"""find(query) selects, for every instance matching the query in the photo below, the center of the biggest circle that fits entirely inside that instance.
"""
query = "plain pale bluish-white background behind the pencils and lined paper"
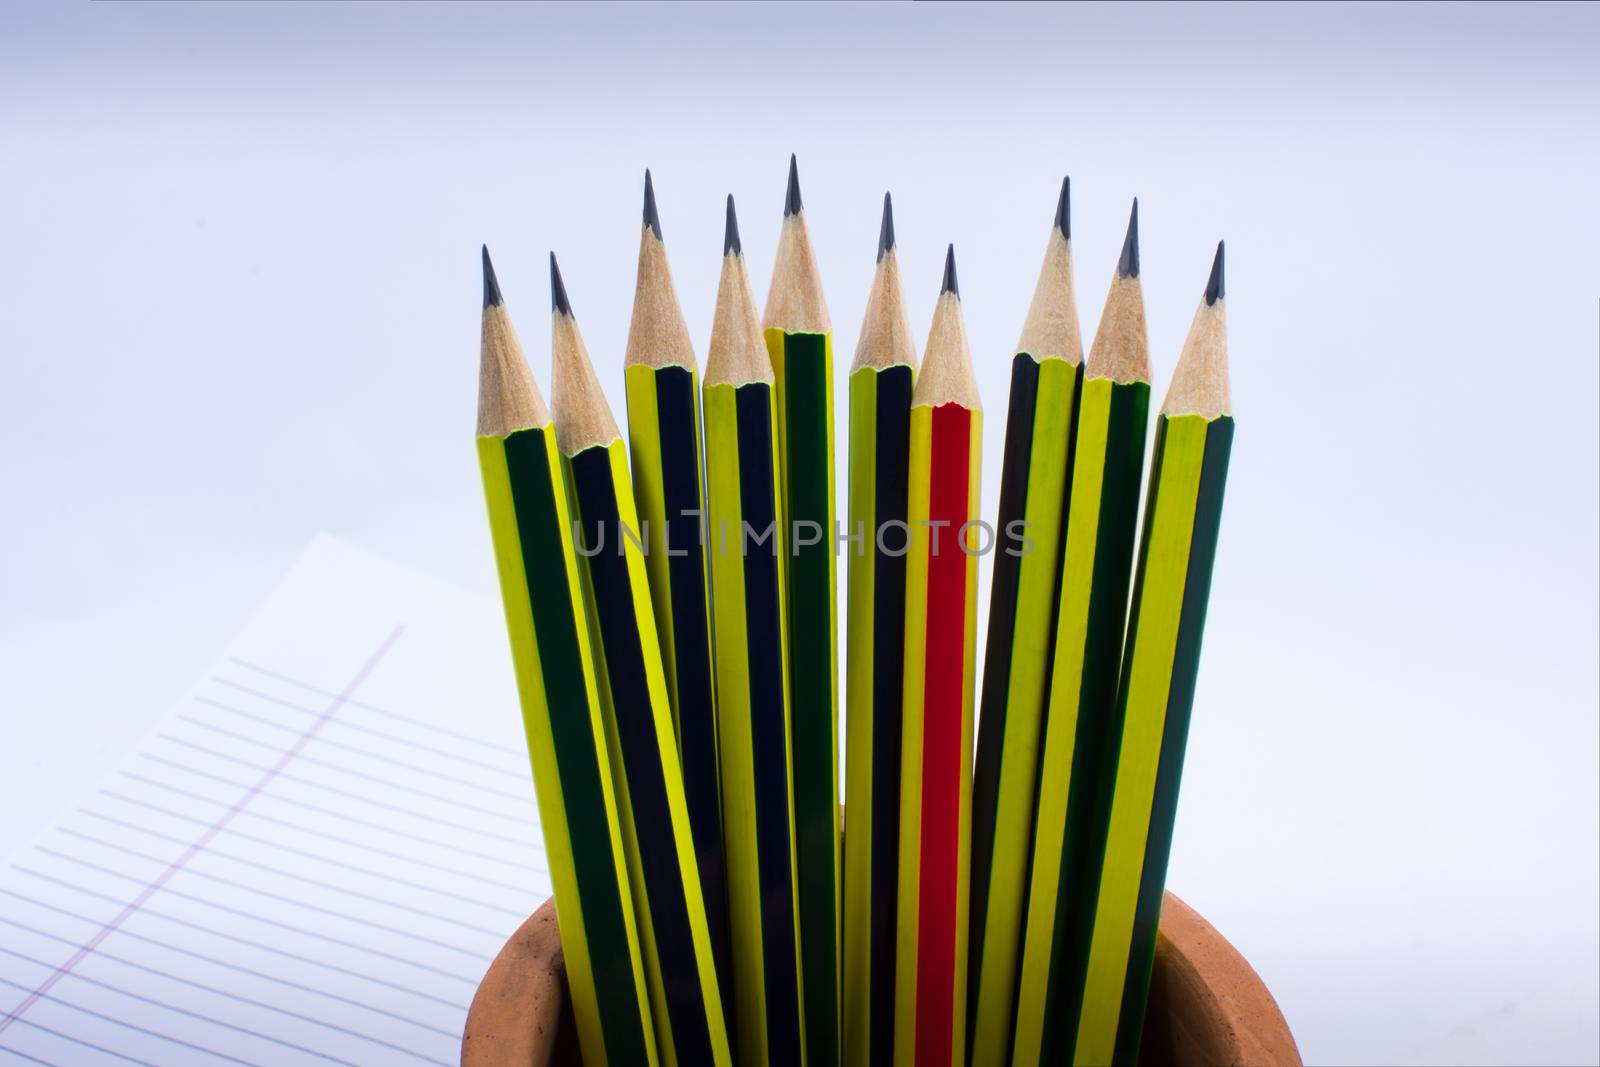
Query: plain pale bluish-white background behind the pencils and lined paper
(239, 305)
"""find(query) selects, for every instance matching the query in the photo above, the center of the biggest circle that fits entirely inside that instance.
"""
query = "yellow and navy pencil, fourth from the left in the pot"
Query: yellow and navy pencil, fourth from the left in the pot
(753, 679)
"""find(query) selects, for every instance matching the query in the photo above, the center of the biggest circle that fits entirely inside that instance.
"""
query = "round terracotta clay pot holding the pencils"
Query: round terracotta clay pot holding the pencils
(1207, 1005)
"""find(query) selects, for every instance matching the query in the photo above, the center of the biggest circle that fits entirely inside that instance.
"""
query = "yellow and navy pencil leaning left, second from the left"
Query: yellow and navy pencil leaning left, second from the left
(679, 967)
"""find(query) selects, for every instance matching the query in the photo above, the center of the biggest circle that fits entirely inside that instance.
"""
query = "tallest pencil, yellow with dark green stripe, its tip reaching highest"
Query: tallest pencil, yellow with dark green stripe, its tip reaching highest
(801, 345)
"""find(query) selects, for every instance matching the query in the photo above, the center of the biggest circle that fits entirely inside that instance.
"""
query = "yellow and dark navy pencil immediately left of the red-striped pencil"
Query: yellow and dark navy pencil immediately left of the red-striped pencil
(881, 388)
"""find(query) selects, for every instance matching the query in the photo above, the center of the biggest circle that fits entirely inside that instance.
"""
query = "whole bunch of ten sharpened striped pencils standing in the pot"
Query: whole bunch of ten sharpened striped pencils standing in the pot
(678, 669)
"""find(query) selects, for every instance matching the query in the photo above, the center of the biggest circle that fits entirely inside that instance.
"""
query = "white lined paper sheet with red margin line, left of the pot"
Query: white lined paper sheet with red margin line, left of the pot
(311, 860)
